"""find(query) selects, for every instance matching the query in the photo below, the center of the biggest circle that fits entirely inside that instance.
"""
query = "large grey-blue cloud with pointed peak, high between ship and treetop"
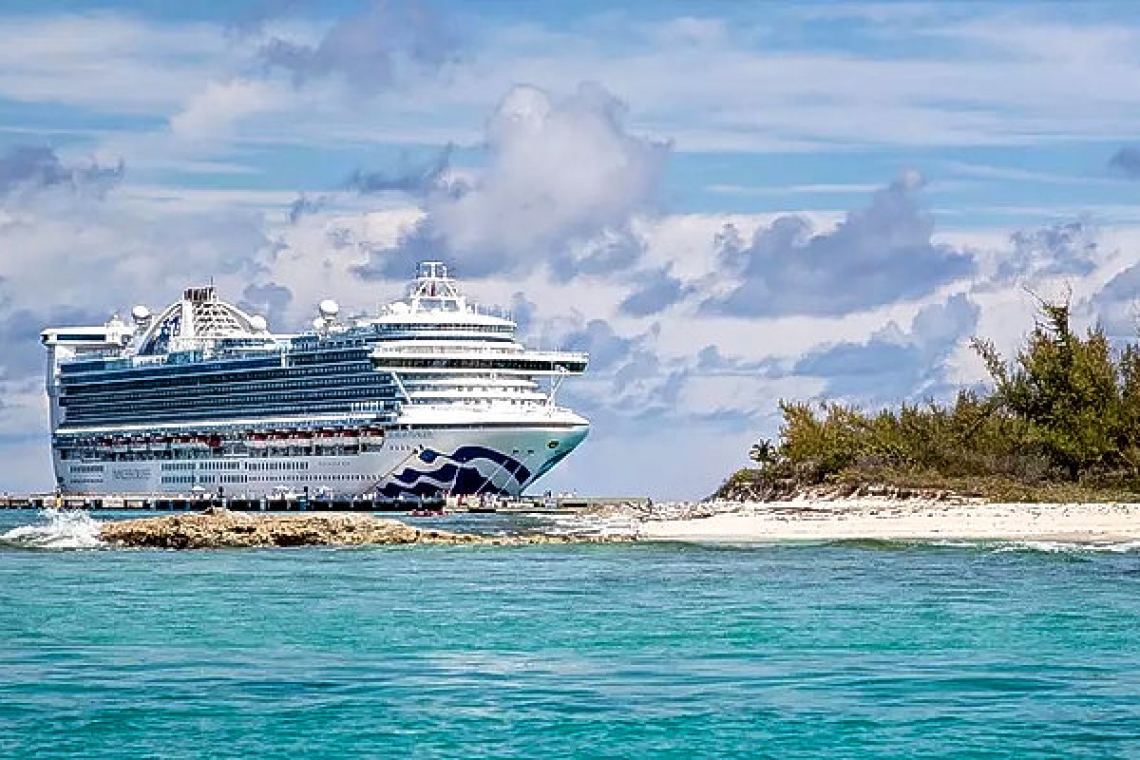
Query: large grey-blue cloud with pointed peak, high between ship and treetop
(876, 256)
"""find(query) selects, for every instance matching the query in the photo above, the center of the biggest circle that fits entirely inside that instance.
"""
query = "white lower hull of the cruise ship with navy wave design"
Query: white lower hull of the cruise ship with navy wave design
(418, 462)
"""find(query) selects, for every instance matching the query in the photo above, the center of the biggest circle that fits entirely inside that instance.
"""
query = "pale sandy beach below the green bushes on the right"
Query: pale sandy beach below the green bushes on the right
(907, 520)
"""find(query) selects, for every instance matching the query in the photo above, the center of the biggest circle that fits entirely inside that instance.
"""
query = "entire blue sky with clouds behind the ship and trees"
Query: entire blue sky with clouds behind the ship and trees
(726, 205)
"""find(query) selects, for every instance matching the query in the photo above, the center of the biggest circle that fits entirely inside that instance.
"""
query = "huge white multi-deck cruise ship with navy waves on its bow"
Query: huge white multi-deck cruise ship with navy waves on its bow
(431, 396)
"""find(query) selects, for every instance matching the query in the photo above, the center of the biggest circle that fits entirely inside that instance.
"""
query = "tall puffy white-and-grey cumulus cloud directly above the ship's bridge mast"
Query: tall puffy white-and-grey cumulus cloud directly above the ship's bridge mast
(564, 179)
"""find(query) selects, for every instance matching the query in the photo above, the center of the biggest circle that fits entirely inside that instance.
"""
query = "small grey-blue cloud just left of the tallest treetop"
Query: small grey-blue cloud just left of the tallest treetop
(897, 365)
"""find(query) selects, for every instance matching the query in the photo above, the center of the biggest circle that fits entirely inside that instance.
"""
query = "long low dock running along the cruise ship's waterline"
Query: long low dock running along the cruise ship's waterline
(198, 503)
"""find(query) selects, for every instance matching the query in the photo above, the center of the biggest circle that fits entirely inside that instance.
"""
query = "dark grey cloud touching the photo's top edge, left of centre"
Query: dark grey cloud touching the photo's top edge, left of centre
(371, 50)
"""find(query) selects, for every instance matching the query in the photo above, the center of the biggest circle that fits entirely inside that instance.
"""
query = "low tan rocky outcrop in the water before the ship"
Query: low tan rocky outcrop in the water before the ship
(222, 528)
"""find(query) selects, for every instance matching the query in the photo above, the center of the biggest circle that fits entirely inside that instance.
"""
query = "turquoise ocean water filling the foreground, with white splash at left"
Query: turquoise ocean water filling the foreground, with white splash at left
(592, 651)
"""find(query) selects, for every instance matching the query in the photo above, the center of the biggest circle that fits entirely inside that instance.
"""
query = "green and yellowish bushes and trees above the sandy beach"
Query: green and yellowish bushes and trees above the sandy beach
(1061, 423)
